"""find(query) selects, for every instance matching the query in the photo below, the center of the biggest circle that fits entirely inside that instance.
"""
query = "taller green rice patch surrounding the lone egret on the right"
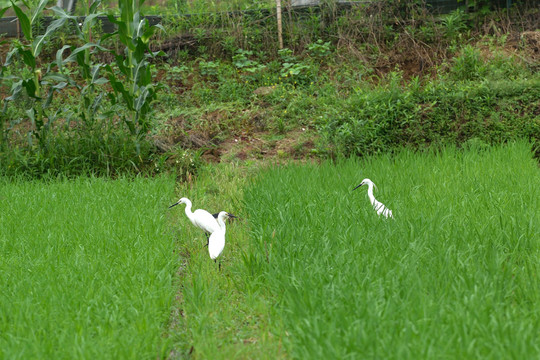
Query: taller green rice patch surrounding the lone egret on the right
(455, 275)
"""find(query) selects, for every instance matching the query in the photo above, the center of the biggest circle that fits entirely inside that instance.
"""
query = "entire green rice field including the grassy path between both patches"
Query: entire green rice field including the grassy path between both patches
(101, 269)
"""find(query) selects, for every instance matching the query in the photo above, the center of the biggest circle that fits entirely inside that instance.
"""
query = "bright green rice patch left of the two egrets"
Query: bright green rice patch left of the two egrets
(87, 269)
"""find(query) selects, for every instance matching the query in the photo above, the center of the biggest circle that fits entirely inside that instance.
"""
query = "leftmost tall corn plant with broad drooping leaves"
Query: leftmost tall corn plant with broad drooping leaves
(37, 83)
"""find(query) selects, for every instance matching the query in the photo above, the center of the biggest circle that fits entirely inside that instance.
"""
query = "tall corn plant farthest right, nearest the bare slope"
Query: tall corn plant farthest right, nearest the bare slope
(132, 80)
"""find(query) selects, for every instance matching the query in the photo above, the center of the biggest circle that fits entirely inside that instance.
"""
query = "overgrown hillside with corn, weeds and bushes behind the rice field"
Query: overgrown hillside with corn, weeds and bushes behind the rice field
(355, 81)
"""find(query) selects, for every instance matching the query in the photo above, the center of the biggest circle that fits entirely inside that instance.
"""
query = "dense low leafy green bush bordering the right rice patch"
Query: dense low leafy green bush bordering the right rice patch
(385, 118)
